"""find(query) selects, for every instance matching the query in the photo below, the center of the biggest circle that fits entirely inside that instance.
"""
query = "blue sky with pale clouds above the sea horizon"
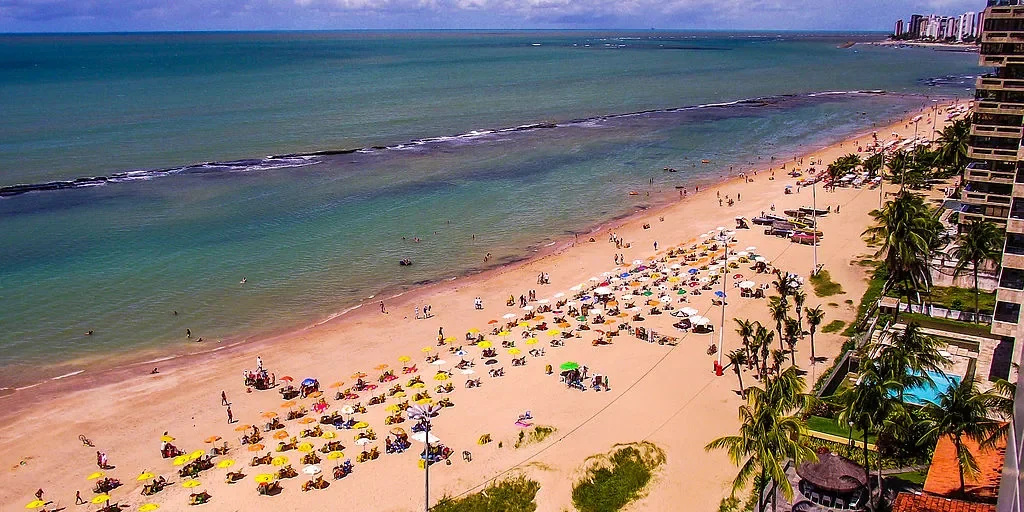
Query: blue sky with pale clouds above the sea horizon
(132, 16)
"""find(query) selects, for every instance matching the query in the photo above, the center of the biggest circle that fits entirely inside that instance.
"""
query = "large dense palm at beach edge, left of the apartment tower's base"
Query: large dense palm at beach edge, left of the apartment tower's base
(909, 232)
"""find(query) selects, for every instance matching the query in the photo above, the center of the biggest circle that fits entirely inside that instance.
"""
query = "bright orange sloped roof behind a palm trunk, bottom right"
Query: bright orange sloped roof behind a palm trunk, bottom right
(944, 476)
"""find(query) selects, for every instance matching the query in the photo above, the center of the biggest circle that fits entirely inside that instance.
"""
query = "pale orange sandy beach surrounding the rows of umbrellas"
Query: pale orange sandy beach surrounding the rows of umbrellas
(666, 395)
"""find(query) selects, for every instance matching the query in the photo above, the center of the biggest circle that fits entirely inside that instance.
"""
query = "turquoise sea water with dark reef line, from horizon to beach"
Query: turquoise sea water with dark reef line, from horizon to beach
(520, 139)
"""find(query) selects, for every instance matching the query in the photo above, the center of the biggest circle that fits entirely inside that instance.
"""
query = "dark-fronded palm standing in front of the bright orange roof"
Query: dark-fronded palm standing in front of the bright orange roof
(962, 412)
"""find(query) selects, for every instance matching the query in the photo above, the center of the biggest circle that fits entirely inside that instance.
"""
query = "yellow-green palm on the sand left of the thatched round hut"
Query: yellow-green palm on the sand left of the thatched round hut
(770, 435)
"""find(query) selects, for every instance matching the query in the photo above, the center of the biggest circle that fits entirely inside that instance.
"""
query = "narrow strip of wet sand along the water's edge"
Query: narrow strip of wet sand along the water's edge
(88, 376)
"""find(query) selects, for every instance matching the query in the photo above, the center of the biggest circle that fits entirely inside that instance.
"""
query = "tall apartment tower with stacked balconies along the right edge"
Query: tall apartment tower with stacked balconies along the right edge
(995, 191)
